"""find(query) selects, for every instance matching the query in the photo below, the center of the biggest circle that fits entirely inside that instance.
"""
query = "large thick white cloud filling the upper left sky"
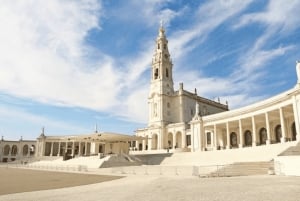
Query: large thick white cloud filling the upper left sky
(44, 56)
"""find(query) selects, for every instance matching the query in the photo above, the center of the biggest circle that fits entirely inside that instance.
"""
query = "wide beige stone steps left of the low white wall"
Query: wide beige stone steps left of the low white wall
(243, 169)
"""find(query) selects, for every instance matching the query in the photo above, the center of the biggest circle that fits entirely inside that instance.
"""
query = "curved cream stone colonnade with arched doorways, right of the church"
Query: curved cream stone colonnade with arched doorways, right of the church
(273, 125)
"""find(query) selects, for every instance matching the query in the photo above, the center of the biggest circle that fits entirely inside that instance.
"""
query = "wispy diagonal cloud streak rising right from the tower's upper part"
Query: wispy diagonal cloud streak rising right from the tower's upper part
(208, 17)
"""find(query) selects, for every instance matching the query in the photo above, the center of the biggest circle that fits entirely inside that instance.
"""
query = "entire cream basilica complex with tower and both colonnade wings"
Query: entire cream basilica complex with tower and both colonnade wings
(178, 121)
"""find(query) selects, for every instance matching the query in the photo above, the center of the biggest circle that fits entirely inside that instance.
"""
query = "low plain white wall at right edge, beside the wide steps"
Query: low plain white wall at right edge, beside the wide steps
(287, 165)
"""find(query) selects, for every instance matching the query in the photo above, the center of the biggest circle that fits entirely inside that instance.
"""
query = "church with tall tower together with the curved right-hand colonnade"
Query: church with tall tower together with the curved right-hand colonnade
(182, 120)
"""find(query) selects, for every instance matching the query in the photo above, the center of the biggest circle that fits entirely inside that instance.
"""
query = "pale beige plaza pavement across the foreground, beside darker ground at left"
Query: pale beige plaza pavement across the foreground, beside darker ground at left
(175, 188)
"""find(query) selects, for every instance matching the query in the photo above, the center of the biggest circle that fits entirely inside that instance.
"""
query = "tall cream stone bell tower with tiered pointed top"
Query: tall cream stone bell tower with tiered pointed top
(161, 87)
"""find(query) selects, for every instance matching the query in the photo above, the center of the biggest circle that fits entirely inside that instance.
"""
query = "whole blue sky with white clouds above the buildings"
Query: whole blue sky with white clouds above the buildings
(68, 65)
